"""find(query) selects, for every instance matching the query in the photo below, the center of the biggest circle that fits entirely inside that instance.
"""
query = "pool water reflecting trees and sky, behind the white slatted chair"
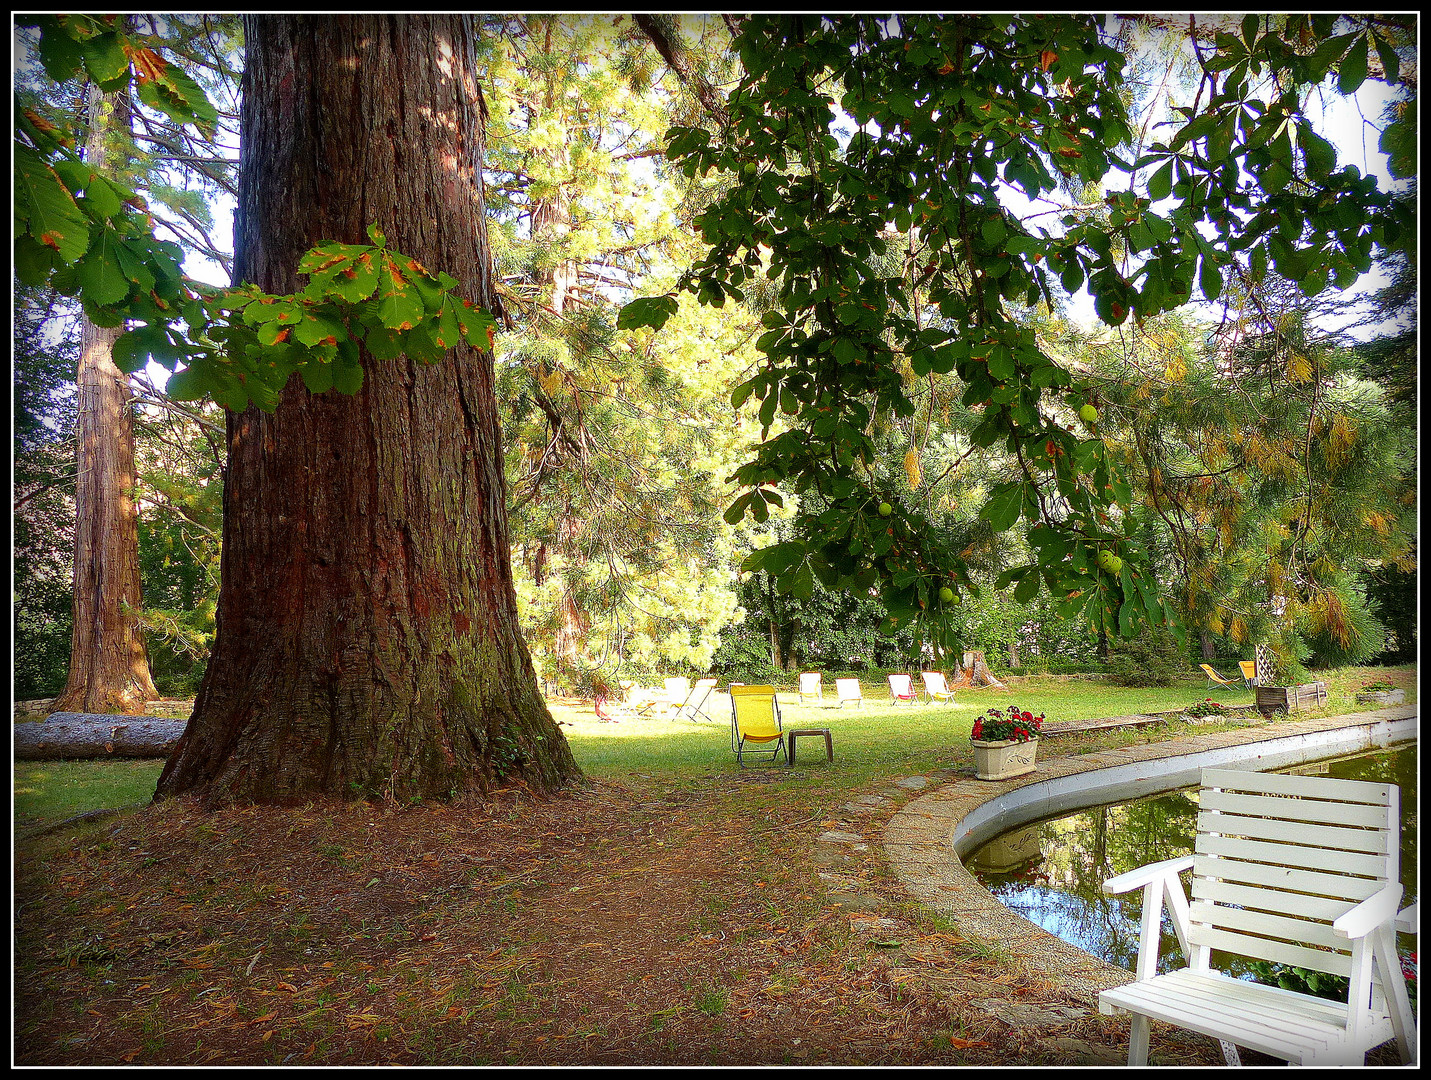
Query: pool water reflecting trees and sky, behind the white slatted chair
(1053, 873)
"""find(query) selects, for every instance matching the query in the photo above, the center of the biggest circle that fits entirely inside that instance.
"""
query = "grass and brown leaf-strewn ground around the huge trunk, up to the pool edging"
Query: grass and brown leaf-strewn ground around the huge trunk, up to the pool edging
(669, 910)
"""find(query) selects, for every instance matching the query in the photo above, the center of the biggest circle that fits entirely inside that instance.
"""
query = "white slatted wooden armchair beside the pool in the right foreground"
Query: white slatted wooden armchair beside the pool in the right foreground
(1294, 870)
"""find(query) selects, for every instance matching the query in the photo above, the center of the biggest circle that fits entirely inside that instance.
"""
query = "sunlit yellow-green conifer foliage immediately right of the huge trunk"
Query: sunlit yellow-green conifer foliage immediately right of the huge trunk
(617, 443)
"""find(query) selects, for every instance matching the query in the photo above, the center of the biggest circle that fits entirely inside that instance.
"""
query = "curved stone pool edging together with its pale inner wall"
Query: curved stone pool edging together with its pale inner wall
(925, 842)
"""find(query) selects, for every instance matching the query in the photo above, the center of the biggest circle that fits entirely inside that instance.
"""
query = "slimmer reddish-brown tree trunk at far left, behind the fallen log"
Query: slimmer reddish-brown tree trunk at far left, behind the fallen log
(109, 669)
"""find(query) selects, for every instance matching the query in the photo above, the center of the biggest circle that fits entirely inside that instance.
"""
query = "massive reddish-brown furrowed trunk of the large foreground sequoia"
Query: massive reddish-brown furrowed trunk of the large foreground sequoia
(367, 624)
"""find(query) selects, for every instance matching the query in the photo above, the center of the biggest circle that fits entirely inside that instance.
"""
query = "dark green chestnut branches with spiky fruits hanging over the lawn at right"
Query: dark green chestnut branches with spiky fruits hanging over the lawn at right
(951, 115)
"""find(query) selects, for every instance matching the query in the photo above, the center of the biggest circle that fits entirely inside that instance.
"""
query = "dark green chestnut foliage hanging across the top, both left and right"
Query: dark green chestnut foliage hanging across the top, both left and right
(884, 192)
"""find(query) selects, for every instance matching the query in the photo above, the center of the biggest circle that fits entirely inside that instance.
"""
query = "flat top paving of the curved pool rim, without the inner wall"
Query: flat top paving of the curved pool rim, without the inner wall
(918, 846)
